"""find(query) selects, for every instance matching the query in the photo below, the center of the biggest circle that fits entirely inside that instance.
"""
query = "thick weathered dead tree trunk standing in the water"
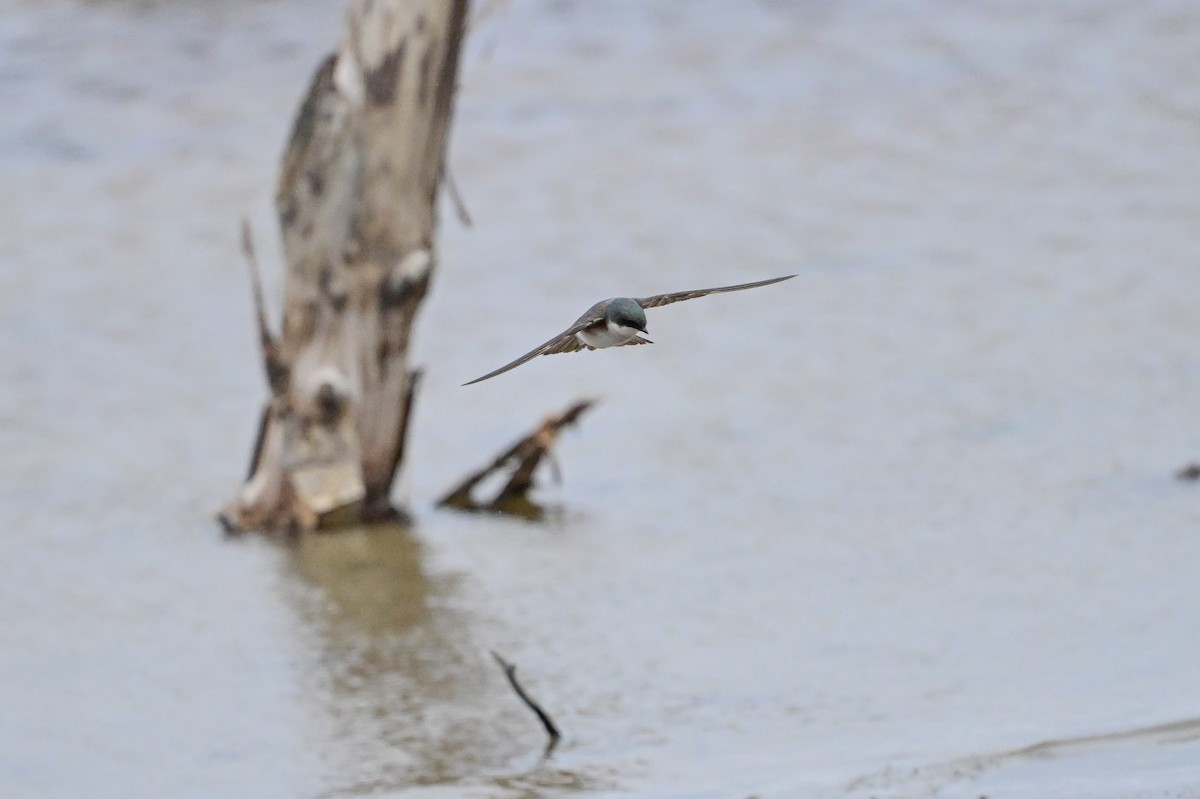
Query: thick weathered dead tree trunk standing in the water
(357, 203)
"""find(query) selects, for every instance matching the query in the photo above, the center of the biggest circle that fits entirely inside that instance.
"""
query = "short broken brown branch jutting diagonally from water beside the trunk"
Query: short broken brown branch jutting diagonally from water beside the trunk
(524, 459)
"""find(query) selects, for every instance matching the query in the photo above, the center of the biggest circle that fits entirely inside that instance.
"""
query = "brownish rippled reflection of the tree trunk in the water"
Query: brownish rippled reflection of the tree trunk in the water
(405, 695)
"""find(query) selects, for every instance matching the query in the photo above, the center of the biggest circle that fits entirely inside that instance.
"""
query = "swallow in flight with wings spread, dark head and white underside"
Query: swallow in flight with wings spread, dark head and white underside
(615, 323)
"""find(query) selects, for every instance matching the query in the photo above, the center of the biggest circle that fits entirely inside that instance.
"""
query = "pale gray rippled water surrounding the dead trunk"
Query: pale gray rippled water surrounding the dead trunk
(872, 532)
